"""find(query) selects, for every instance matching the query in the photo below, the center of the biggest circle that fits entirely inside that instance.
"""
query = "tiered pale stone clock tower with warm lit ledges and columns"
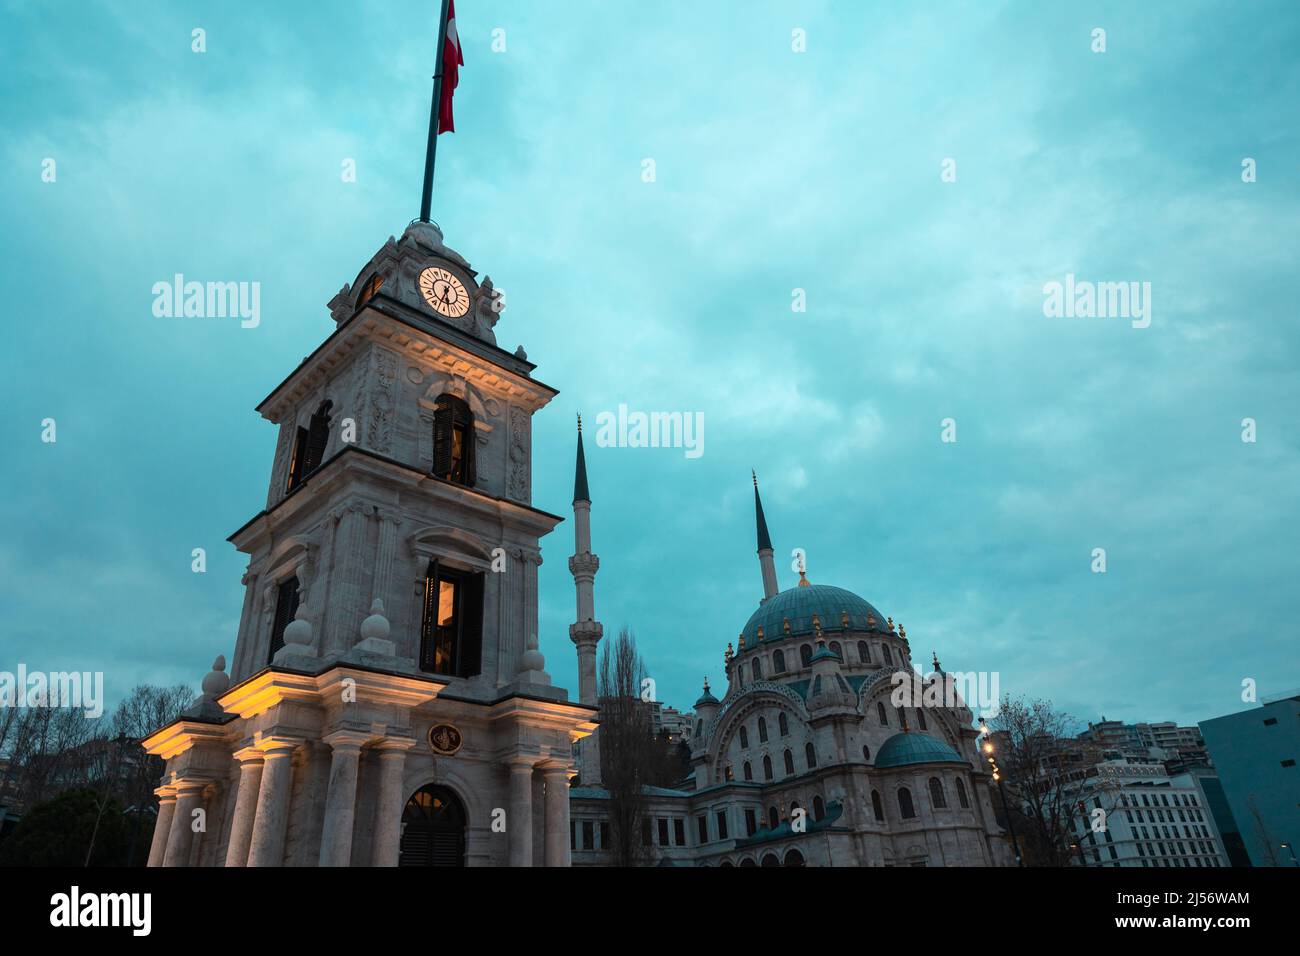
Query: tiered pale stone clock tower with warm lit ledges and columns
(387, 700)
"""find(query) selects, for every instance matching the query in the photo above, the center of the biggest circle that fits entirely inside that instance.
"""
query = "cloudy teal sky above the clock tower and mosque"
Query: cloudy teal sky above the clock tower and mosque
(775, 171)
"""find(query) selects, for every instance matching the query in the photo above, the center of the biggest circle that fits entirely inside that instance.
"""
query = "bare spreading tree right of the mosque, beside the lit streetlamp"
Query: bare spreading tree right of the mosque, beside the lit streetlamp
(1047, 776)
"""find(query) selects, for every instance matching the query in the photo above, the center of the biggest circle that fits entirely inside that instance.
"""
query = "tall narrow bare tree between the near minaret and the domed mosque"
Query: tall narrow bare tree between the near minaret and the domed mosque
(627, 743)
